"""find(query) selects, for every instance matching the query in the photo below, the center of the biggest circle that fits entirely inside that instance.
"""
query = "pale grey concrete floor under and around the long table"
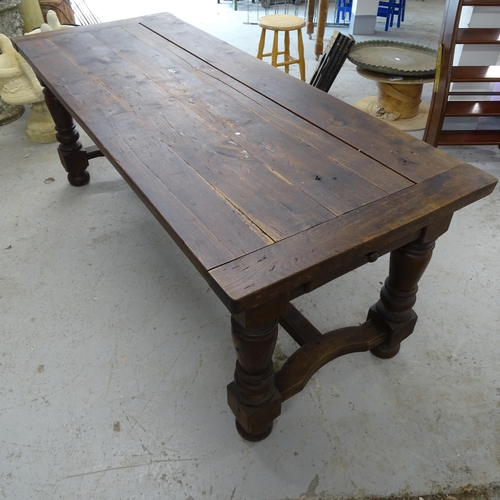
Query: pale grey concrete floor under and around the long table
(116, 354)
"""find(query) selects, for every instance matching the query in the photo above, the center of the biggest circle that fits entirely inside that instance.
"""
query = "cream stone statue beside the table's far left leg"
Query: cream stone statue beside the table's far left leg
(19, 86)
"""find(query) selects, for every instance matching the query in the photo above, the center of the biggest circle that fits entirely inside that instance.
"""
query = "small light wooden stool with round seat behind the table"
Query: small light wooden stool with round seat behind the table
(286, 23)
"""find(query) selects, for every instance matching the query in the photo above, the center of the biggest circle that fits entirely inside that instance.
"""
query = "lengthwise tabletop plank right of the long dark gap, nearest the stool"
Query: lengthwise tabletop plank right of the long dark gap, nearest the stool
(329, 113)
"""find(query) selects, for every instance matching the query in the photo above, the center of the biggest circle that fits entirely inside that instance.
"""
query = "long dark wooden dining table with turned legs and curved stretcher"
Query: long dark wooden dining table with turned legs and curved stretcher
(271, 187)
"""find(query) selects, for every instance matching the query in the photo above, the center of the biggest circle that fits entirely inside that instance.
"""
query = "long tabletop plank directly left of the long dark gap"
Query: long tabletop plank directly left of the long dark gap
(306, 163)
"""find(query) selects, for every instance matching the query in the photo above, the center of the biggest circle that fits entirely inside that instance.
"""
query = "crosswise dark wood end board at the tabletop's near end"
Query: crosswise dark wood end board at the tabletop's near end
(292, 263)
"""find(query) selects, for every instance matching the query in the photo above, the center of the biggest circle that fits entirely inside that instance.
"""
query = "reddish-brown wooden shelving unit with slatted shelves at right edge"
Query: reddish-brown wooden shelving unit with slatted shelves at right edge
(473, 103)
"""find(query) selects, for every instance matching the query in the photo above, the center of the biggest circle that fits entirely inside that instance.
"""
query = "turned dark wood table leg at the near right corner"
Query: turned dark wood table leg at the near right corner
(393, 312)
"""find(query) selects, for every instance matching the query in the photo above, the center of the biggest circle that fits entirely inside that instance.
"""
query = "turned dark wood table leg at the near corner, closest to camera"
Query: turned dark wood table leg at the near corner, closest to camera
(252, 396)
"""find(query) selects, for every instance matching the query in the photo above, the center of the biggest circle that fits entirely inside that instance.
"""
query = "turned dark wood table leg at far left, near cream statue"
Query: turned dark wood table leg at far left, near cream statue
(71, 152)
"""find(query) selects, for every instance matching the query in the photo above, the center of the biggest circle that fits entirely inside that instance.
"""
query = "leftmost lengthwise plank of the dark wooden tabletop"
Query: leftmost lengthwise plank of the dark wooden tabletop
(165, 165)
